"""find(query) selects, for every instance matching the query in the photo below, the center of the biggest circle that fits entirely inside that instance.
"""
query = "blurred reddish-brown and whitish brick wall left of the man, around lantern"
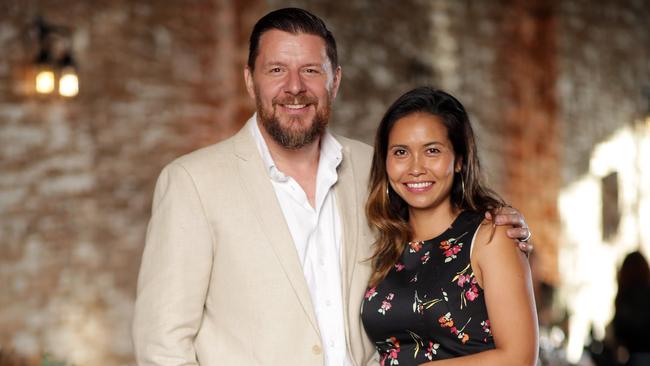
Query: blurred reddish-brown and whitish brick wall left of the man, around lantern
(157, 80)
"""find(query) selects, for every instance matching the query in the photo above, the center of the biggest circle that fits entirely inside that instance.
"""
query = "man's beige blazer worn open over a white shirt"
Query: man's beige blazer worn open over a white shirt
(220, 281)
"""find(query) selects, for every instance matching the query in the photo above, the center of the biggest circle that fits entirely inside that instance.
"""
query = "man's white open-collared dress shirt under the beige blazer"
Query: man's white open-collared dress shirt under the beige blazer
(317, 234)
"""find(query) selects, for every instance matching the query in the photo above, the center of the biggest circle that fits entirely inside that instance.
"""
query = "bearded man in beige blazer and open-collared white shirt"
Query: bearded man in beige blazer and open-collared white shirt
(257, 246)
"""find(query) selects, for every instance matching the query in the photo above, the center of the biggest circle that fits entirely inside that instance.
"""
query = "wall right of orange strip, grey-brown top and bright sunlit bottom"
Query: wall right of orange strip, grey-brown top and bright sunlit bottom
(604, 64)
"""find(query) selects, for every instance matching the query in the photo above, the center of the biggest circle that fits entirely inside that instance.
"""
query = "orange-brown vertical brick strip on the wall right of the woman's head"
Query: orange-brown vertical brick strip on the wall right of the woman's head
(528, 73)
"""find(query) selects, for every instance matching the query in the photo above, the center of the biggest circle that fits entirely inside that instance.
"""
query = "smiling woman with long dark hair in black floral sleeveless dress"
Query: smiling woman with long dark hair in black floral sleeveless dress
(448, 287)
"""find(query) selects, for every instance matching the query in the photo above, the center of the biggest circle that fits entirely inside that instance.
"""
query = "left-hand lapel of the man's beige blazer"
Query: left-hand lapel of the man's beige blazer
(269, 214)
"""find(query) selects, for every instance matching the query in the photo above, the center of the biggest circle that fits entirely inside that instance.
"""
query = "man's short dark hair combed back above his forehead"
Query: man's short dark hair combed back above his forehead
(295, 21)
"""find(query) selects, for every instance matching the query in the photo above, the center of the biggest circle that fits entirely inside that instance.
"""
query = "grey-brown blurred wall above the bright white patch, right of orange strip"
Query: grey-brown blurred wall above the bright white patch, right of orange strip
(604, 59)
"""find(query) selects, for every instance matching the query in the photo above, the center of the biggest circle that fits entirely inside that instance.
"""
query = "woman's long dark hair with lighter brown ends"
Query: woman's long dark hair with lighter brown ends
(388, 213)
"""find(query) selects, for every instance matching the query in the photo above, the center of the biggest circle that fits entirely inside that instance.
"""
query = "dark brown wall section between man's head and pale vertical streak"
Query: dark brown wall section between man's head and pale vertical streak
(383, 51)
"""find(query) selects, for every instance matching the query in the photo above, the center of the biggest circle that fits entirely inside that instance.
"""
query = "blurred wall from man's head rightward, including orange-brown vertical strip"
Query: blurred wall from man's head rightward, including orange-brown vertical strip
(499, 58)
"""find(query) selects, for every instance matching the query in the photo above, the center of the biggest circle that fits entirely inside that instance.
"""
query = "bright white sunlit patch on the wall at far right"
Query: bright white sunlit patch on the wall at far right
(588, 261)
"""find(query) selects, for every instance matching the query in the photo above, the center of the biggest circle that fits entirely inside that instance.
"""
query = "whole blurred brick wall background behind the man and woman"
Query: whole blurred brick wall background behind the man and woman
(558, 90)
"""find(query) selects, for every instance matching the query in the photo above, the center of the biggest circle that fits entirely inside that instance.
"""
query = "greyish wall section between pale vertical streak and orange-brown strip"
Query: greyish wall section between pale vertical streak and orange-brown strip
(474, 75)
